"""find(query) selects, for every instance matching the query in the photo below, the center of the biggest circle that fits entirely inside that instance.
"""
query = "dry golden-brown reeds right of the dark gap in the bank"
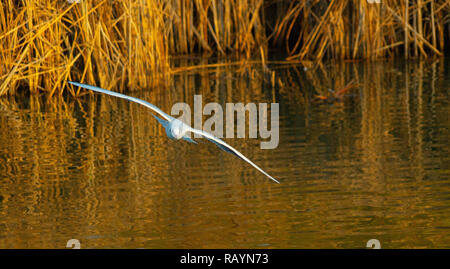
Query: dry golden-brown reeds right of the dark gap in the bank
(357, 29)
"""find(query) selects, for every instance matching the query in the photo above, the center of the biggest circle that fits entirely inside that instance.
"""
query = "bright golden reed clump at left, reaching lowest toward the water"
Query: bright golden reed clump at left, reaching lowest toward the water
(114, 44)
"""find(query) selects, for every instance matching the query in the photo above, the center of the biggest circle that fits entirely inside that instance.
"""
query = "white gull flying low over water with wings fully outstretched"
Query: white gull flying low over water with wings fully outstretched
(176, 129)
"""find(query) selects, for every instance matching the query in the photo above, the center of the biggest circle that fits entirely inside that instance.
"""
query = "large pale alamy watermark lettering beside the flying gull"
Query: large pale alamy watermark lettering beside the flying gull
(258, 119)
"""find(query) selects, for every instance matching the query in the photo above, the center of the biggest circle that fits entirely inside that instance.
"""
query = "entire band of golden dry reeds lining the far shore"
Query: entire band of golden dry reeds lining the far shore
(132, 44)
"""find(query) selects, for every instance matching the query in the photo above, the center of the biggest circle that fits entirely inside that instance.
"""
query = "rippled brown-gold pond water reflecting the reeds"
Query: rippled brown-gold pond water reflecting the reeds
(372, 162)
